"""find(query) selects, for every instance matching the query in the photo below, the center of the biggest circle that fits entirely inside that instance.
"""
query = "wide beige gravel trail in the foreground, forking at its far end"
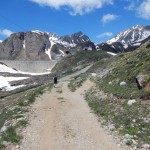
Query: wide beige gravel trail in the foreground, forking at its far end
(62, 120)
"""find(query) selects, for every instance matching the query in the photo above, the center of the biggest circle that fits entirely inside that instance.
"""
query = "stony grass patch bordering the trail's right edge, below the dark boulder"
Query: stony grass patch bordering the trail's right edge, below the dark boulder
(127, 119)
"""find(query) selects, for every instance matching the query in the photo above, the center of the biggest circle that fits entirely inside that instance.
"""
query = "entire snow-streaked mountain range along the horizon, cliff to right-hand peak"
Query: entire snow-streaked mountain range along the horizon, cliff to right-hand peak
(38, 45)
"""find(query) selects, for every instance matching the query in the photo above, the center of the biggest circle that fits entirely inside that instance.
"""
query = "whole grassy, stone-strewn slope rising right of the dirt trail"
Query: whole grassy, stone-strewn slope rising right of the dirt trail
(132, 120)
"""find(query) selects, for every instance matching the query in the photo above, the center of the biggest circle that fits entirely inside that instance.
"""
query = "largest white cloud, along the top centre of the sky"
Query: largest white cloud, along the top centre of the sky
(77, 6)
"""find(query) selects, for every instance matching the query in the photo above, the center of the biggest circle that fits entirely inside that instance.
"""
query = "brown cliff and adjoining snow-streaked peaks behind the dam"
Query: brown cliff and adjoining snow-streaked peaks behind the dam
(37, 45)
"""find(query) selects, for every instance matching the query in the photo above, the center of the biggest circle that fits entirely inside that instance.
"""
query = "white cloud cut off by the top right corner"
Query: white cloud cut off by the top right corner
(144, 10)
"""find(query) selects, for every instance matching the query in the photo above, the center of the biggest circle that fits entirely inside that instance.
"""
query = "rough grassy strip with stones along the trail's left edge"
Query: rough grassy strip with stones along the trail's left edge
(17, 113)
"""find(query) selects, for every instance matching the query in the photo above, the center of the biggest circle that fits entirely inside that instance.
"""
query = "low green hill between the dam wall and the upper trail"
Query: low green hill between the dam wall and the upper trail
(80, 59)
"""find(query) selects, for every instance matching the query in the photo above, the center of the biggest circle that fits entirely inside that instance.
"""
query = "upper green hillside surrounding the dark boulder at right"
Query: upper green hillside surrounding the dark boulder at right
(127, 69)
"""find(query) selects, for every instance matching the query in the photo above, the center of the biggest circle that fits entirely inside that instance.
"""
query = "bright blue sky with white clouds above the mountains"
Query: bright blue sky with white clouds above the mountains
(99, 19)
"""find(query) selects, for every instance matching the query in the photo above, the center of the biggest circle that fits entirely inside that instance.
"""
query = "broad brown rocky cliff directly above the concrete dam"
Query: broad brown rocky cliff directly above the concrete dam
(25, 46)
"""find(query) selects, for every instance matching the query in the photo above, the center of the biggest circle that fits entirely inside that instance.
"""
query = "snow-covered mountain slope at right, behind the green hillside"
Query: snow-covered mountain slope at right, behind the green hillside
(127, 40)
